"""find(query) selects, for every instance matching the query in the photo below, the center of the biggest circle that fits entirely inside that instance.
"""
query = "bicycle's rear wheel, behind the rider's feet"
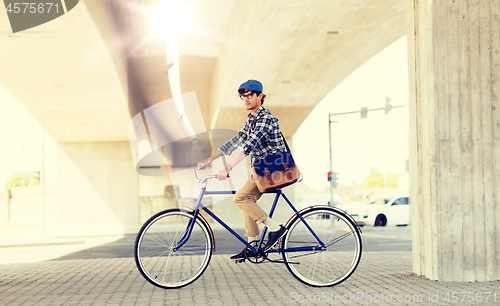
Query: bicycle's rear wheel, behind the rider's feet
(334, 264)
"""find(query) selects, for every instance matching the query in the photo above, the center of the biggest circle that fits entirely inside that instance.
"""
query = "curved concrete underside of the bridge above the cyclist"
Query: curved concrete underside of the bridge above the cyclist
(97, 66)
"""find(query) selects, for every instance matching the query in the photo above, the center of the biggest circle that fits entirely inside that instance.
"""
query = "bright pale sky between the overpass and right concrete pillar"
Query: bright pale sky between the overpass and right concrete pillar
(378, 142)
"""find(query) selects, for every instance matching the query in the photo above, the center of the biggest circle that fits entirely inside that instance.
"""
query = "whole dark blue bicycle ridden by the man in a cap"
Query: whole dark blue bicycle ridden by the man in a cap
(321, 248)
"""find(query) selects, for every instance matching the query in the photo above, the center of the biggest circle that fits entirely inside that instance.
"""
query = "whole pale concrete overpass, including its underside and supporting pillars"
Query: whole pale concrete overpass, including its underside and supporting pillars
(85, 74)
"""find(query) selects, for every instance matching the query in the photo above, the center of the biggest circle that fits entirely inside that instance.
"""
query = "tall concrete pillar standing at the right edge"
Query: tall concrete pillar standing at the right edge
(454, 64)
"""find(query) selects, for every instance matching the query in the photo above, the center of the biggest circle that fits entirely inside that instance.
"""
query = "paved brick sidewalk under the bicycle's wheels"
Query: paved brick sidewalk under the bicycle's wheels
(380, 275)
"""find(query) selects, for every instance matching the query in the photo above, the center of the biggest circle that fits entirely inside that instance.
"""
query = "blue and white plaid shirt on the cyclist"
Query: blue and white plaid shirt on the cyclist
(259, 137)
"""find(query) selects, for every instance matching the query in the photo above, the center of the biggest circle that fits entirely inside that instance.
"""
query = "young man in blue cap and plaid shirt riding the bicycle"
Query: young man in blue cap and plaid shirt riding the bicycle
(259, 137)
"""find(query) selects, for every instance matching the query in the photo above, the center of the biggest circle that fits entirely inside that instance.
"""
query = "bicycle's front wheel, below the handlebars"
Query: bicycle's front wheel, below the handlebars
(154, 254)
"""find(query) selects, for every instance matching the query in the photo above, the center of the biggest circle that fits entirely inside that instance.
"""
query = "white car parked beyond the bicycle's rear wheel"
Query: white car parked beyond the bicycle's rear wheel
(389, 210)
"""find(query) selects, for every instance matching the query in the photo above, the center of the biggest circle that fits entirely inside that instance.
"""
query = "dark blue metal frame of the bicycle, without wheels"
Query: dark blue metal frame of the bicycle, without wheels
(257, 249)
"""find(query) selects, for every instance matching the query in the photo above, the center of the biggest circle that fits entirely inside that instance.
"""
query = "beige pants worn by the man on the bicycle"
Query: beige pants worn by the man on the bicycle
(246, 198)
